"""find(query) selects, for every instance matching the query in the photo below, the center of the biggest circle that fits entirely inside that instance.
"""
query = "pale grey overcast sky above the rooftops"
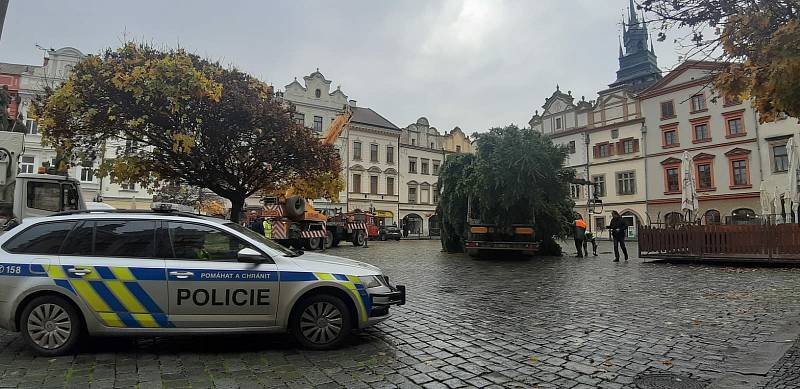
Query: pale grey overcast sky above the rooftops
(468, 63)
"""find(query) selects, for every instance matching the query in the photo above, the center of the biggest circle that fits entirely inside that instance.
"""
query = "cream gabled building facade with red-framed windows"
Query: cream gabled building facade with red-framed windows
(683, 113)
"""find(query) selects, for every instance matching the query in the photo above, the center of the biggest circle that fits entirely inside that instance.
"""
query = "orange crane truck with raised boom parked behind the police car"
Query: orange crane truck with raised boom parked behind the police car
(296, 223)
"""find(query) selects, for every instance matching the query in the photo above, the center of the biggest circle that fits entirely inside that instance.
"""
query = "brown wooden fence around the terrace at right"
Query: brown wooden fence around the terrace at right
(781, 241)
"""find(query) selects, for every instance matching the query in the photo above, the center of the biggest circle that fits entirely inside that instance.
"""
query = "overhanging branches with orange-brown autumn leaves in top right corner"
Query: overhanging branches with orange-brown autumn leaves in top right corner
(757, 39)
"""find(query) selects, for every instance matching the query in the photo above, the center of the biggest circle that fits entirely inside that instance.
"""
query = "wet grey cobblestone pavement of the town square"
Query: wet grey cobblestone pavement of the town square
(544, 322)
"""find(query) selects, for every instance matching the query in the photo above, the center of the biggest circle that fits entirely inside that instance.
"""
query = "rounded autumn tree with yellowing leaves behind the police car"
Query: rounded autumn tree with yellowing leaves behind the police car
(193, 121)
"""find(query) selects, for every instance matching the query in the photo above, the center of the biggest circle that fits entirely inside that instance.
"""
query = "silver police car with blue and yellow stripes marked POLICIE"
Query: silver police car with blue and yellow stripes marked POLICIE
(105, 272)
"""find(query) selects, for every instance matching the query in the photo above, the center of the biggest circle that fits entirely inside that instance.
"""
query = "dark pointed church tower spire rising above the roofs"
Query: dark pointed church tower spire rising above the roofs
(638, 66)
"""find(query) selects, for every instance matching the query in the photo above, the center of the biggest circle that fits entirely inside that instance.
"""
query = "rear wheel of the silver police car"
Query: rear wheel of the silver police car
(51, 325)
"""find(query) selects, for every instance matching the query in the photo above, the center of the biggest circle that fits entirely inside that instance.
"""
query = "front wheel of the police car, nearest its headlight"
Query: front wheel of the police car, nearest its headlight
(321, 322)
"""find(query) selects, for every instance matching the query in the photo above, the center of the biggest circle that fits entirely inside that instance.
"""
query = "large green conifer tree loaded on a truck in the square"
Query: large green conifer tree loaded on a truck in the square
(511, 195)
